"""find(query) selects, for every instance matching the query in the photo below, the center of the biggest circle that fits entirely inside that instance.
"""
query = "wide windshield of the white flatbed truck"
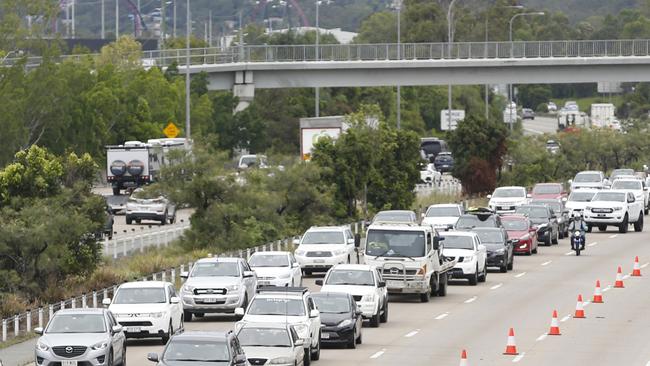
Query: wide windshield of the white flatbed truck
(395, 243)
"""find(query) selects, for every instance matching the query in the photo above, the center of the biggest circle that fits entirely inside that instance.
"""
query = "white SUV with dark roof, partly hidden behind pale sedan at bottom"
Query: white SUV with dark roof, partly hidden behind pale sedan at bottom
(290, 305)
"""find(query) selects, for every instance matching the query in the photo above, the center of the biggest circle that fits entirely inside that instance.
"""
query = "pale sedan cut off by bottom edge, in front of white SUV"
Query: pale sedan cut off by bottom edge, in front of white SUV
(271, 344)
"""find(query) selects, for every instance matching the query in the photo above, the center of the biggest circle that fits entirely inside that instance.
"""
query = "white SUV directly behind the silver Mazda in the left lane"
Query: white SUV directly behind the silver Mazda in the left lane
(147, 309)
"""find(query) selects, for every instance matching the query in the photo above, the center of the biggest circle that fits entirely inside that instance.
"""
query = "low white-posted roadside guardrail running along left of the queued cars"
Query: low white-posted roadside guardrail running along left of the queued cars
(24, 323)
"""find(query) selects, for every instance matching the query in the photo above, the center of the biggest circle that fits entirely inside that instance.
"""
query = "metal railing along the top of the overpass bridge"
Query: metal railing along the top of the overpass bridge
(383, 52)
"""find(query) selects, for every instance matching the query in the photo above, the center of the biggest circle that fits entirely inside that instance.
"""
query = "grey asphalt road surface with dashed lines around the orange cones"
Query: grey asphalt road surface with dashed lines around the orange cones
(477, 318)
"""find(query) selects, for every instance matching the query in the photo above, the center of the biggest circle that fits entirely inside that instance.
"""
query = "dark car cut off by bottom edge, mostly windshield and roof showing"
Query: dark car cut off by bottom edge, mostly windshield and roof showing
(201, 349)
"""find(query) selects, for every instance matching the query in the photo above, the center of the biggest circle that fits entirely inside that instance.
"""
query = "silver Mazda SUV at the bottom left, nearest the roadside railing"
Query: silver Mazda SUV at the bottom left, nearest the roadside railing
(81, 337)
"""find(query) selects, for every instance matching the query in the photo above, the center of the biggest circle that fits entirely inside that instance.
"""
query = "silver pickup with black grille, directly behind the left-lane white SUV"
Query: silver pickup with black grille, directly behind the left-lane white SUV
(217, 285)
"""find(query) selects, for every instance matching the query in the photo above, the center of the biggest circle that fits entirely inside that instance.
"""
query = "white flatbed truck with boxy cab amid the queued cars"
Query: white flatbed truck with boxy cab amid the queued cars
(409, 257)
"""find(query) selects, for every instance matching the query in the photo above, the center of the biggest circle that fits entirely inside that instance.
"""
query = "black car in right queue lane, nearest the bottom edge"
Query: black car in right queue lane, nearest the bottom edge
(340, 319)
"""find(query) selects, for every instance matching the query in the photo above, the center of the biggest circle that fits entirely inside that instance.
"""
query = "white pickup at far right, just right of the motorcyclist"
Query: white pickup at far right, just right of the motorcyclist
(616, 208)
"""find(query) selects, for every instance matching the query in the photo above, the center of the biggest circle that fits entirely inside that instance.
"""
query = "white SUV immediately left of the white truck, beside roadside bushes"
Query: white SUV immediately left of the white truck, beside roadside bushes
(324, 247)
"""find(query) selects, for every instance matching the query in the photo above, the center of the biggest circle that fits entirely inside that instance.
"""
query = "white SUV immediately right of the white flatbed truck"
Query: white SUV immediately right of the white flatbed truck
(470, 254)
